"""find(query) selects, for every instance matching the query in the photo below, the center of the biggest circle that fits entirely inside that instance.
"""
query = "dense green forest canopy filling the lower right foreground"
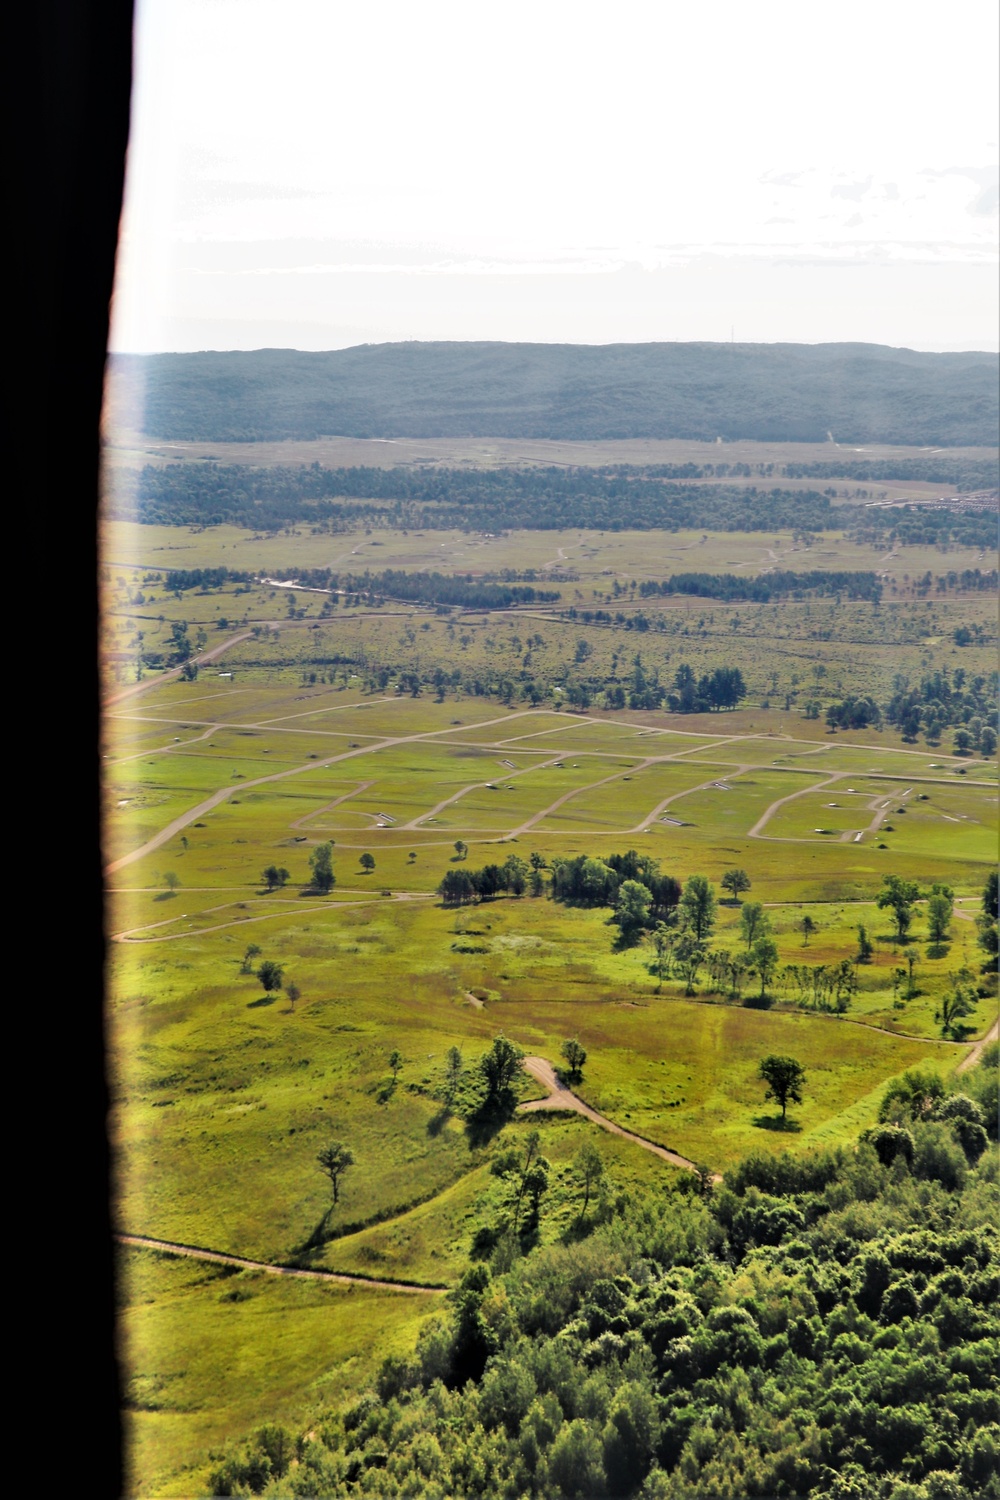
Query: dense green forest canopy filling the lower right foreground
(821, 1327)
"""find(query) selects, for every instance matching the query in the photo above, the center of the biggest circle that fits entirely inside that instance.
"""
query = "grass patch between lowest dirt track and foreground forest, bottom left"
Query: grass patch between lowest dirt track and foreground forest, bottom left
(211, 1354)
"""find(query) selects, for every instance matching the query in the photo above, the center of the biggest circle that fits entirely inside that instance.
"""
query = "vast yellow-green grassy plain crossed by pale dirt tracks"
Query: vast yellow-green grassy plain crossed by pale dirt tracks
(223, 1096)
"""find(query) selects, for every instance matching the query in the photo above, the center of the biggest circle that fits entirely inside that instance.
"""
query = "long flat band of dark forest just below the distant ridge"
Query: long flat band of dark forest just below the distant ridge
(510, 499)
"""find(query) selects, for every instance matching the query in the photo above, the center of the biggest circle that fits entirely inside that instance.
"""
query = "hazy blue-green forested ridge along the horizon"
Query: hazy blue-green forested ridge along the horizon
(765, 392)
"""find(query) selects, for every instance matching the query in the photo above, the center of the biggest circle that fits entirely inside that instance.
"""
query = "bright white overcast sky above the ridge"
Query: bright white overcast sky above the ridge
(317, 175)
